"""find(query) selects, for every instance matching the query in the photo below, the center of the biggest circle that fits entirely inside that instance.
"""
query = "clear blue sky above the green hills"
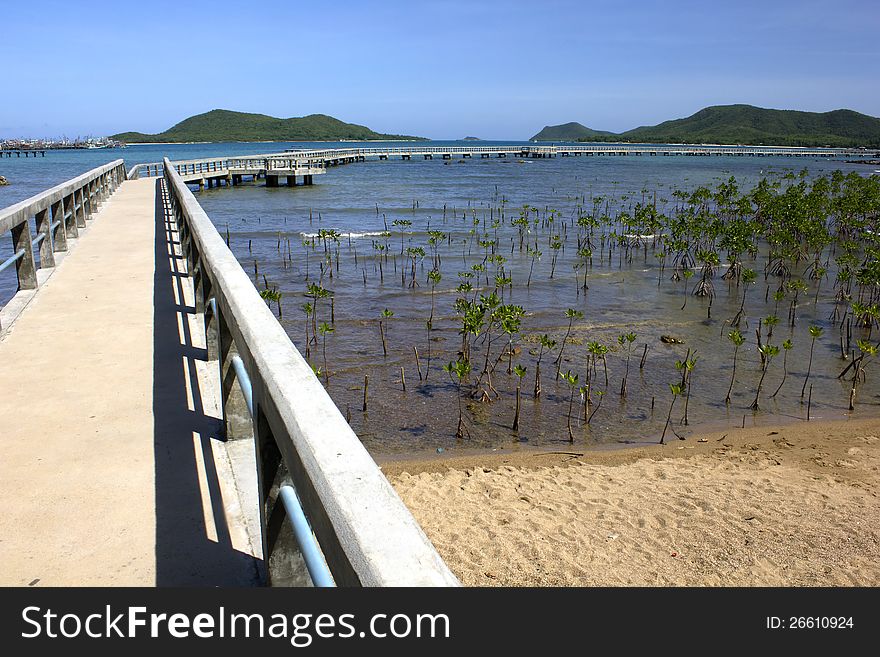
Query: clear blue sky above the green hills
(445, 69)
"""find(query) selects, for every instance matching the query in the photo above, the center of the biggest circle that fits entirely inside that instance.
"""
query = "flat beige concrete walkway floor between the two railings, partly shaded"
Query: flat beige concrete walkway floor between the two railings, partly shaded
(110, 470)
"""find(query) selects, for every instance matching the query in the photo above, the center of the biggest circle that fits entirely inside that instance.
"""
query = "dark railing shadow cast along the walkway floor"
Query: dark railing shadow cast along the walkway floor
(193, 544)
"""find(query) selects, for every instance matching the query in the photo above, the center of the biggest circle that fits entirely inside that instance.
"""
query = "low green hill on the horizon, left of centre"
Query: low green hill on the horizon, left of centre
(225, 125)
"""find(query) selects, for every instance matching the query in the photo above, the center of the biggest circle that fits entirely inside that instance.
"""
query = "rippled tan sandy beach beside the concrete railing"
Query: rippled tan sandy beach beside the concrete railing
(793, 505)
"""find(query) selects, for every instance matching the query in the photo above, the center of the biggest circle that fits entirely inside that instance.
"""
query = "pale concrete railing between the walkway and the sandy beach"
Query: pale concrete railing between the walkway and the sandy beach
(368, 537)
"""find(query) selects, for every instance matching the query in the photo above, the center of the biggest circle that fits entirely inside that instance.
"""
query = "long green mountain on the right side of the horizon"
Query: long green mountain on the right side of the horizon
(745, 124)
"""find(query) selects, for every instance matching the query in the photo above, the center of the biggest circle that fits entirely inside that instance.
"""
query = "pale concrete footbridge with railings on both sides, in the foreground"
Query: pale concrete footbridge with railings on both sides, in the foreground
(157, 425)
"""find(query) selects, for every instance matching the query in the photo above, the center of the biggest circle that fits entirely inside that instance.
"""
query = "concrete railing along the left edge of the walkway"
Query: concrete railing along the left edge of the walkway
(57, 214)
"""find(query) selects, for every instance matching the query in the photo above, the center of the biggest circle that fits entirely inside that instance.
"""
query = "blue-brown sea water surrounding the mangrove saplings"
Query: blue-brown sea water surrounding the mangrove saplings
(268, 226)
